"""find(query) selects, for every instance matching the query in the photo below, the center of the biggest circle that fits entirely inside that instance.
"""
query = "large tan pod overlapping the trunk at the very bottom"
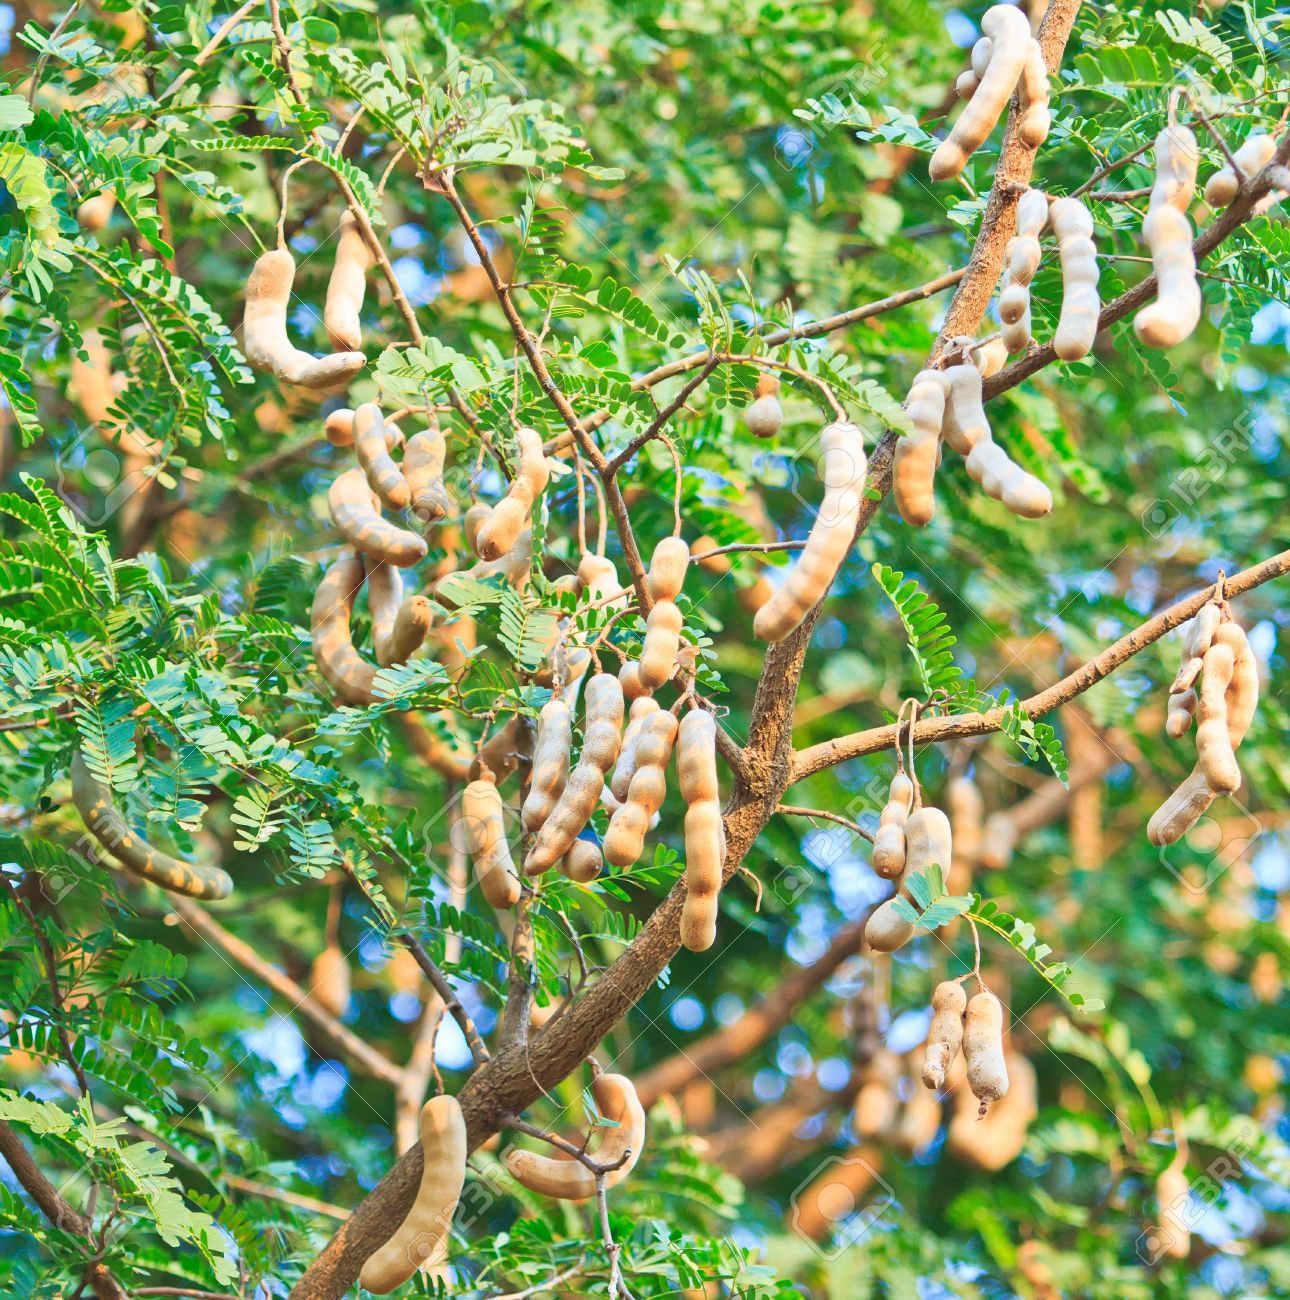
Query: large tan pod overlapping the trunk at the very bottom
(422, 1241)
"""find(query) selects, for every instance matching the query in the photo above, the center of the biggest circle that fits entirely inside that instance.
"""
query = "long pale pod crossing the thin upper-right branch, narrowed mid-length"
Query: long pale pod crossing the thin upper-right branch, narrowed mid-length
(1167, 229)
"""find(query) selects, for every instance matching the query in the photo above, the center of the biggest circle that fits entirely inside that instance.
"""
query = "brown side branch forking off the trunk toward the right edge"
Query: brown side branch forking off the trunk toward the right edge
(930, 731)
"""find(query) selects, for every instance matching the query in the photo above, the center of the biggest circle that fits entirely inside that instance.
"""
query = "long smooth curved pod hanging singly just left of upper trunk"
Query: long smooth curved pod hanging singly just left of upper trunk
(830, 539)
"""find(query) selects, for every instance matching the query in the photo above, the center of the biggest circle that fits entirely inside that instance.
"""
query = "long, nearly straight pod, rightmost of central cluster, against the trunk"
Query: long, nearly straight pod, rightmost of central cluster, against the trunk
(705, 837)
